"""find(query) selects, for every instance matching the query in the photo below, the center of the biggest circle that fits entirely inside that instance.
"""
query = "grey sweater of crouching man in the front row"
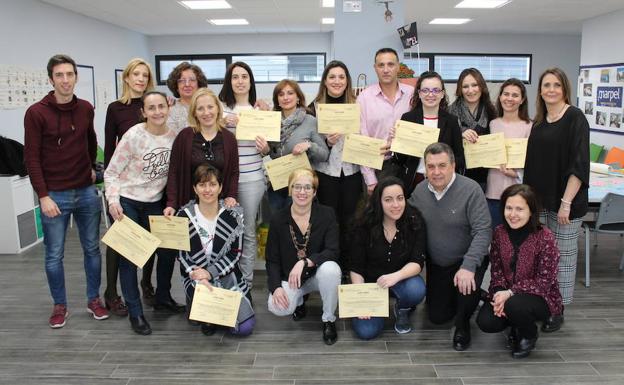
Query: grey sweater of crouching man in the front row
(458, 225)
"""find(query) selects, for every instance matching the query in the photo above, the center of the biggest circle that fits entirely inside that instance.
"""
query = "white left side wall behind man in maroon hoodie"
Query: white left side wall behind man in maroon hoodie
(34, 31)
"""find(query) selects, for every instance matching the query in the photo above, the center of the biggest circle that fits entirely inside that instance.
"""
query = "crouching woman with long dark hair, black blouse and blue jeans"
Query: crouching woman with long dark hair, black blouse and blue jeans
(389, 249)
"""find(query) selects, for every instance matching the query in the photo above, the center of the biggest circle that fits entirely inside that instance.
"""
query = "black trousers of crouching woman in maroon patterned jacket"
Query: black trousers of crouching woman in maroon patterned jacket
(521, 310)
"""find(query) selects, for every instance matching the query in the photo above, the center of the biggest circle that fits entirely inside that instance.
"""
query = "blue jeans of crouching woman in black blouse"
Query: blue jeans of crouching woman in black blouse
(408, 293)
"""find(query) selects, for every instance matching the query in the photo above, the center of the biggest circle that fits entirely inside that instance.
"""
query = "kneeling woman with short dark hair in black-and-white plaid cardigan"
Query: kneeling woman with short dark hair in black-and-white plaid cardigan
(216, 234)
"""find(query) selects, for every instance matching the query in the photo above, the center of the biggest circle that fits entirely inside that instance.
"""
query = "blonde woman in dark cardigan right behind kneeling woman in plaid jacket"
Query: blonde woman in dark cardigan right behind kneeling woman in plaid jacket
(204, 141)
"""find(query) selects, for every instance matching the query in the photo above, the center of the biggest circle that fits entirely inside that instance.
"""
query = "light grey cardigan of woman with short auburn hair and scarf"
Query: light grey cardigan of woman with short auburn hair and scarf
(307, 131)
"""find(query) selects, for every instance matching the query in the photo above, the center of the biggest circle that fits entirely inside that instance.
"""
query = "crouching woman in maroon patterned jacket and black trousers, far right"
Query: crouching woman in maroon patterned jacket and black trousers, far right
(524, 261)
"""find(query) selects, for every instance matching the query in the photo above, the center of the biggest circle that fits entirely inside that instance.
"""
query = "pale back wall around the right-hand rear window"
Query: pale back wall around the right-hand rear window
(548, 50)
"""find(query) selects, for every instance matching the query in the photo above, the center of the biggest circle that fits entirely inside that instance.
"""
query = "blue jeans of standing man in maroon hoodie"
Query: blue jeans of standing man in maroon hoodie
(85, 206)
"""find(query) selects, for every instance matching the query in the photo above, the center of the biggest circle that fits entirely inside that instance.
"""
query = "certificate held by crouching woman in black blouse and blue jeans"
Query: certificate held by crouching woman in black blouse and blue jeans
(363, 300)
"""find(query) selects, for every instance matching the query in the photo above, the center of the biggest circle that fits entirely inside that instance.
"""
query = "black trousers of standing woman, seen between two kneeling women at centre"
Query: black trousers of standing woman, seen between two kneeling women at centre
(342, 194)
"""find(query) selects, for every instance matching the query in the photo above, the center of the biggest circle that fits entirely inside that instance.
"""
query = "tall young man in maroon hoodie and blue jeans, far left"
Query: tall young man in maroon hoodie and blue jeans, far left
(59, 151)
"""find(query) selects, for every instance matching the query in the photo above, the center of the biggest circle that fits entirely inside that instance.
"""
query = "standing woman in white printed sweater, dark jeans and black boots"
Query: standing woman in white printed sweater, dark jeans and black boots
(135, 181)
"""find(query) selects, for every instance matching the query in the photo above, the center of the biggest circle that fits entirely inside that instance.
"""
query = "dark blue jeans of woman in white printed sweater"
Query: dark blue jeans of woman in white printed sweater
(139, 212)
